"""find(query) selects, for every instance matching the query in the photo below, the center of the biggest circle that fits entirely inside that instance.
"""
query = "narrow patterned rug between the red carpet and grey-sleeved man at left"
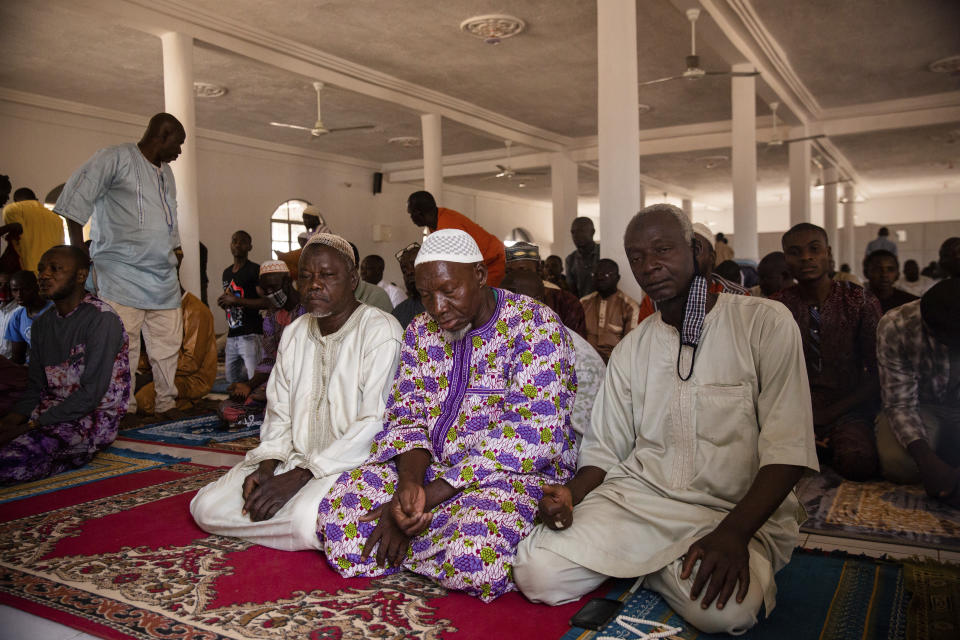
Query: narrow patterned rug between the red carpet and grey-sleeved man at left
(112, 462)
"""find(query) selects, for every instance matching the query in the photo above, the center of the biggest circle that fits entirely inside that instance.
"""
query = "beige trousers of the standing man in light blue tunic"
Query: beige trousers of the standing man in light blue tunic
(163, 334)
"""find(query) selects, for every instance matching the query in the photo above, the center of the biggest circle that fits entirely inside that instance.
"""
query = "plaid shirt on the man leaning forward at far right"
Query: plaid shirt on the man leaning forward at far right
(914, 370)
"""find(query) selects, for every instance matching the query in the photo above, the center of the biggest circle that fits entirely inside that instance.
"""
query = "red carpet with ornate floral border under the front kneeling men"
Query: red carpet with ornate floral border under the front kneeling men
(121, 558)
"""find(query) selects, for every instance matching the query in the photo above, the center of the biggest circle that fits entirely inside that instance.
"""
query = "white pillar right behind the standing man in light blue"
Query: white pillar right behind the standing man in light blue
(178, 101)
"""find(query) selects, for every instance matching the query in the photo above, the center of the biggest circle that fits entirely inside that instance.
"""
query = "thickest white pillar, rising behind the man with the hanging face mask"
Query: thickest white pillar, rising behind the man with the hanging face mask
(618, 130)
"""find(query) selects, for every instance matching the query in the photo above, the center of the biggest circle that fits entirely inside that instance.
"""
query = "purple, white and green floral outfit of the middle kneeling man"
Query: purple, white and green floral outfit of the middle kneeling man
(493, 410)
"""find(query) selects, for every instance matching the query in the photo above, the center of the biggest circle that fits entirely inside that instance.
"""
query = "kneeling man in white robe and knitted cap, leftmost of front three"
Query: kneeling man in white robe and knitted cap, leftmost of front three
(325, 402)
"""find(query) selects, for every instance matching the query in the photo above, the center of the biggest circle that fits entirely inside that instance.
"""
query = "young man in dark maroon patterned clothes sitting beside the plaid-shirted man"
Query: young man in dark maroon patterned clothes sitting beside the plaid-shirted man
(838, 324)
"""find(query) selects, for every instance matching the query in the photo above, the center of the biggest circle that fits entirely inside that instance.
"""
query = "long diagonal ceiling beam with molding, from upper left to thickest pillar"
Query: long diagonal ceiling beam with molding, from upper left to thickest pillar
(159, 16)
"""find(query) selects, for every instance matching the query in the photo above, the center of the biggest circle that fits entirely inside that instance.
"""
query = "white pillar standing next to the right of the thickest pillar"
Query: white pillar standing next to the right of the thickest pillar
(744, 164)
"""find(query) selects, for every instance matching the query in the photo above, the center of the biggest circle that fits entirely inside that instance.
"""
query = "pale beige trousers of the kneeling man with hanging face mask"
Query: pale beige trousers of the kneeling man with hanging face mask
(548, 577)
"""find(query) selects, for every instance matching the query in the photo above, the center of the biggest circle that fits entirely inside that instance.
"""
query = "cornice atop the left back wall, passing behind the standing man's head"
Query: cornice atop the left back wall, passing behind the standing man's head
(57, 105)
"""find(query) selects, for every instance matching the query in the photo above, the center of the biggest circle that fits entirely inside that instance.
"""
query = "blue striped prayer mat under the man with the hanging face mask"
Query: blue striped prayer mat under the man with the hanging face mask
(819, 595)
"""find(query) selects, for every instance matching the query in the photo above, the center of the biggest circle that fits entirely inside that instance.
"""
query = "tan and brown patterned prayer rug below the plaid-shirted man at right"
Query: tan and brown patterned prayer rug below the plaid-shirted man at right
(880, 511)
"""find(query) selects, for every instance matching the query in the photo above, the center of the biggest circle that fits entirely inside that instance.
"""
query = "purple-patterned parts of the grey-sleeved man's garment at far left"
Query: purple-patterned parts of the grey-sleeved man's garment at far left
(52, 448)
